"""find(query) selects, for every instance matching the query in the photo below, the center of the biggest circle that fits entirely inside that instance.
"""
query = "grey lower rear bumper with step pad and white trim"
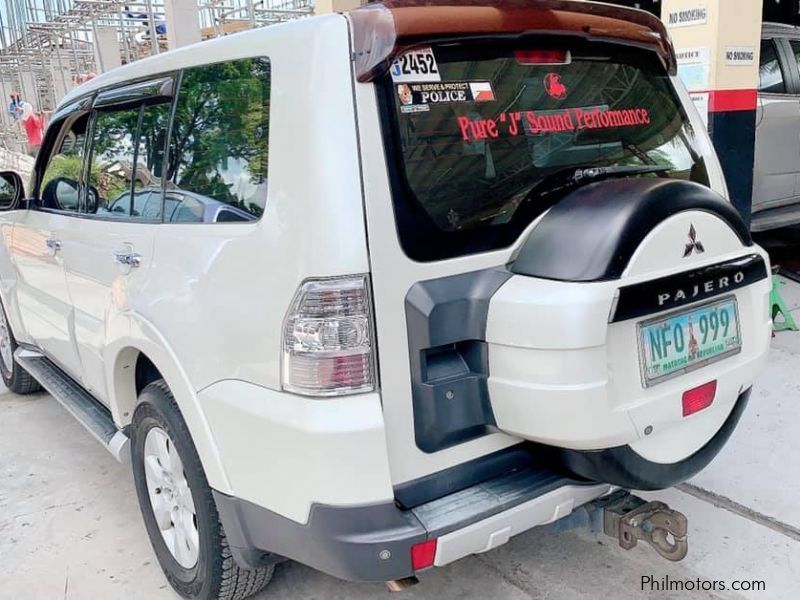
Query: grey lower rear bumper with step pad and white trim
(373, 542)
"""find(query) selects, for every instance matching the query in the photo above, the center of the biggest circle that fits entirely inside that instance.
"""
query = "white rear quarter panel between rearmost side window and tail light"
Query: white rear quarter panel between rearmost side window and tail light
(219, 292)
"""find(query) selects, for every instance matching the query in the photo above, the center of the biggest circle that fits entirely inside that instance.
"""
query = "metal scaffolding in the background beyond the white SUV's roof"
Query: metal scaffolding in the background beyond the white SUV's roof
(49, 46)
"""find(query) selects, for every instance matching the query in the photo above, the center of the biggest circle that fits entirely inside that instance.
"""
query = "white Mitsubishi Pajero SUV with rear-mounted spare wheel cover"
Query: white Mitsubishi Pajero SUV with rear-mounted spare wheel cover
(374, 291)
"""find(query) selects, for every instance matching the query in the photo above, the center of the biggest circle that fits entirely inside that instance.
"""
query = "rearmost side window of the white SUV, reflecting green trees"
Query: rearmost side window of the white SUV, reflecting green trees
(219, 144)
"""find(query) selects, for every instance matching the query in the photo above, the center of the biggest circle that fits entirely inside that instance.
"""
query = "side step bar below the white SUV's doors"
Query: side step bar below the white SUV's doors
(81, 404)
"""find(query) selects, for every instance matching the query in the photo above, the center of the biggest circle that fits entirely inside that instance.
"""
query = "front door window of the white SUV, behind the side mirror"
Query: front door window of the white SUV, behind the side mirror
(60, 185)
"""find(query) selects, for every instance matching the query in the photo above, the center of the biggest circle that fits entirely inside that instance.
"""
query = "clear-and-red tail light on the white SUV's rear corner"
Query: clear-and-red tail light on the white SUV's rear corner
(328, 339)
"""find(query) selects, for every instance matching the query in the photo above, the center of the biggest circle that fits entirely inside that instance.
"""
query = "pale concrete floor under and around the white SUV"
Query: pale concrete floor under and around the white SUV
(70, 525)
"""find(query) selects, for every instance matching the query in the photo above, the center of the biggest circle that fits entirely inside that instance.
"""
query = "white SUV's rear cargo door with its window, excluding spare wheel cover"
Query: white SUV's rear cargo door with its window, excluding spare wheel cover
(463, 148)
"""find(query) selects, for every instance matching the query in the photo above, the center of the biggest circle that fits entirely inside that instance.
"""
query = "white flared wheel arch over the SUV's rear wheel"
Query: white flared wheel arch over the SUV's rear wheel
(135, 360)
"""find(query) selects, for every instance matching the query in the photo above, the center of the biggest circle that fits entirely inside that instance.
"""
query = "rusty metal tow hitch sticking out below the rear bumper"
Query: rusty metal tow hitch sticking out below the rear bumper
(629, 519)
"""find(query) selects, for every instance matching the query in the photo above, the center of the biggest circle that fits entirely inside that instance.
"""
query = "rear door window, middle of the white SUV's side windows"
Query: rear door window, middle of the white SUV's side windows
(127, 158)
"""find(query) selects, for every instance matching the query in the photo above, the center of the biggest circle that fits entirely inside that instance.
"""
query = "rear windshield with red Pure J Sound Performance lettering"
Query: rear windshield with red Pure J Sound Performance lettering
(476, 132)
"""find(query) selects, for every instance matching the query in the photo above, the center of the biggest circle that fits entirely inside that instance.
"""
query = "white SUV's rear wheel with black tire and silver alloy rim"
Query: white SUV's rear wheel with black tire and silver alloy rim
(213, 575)
